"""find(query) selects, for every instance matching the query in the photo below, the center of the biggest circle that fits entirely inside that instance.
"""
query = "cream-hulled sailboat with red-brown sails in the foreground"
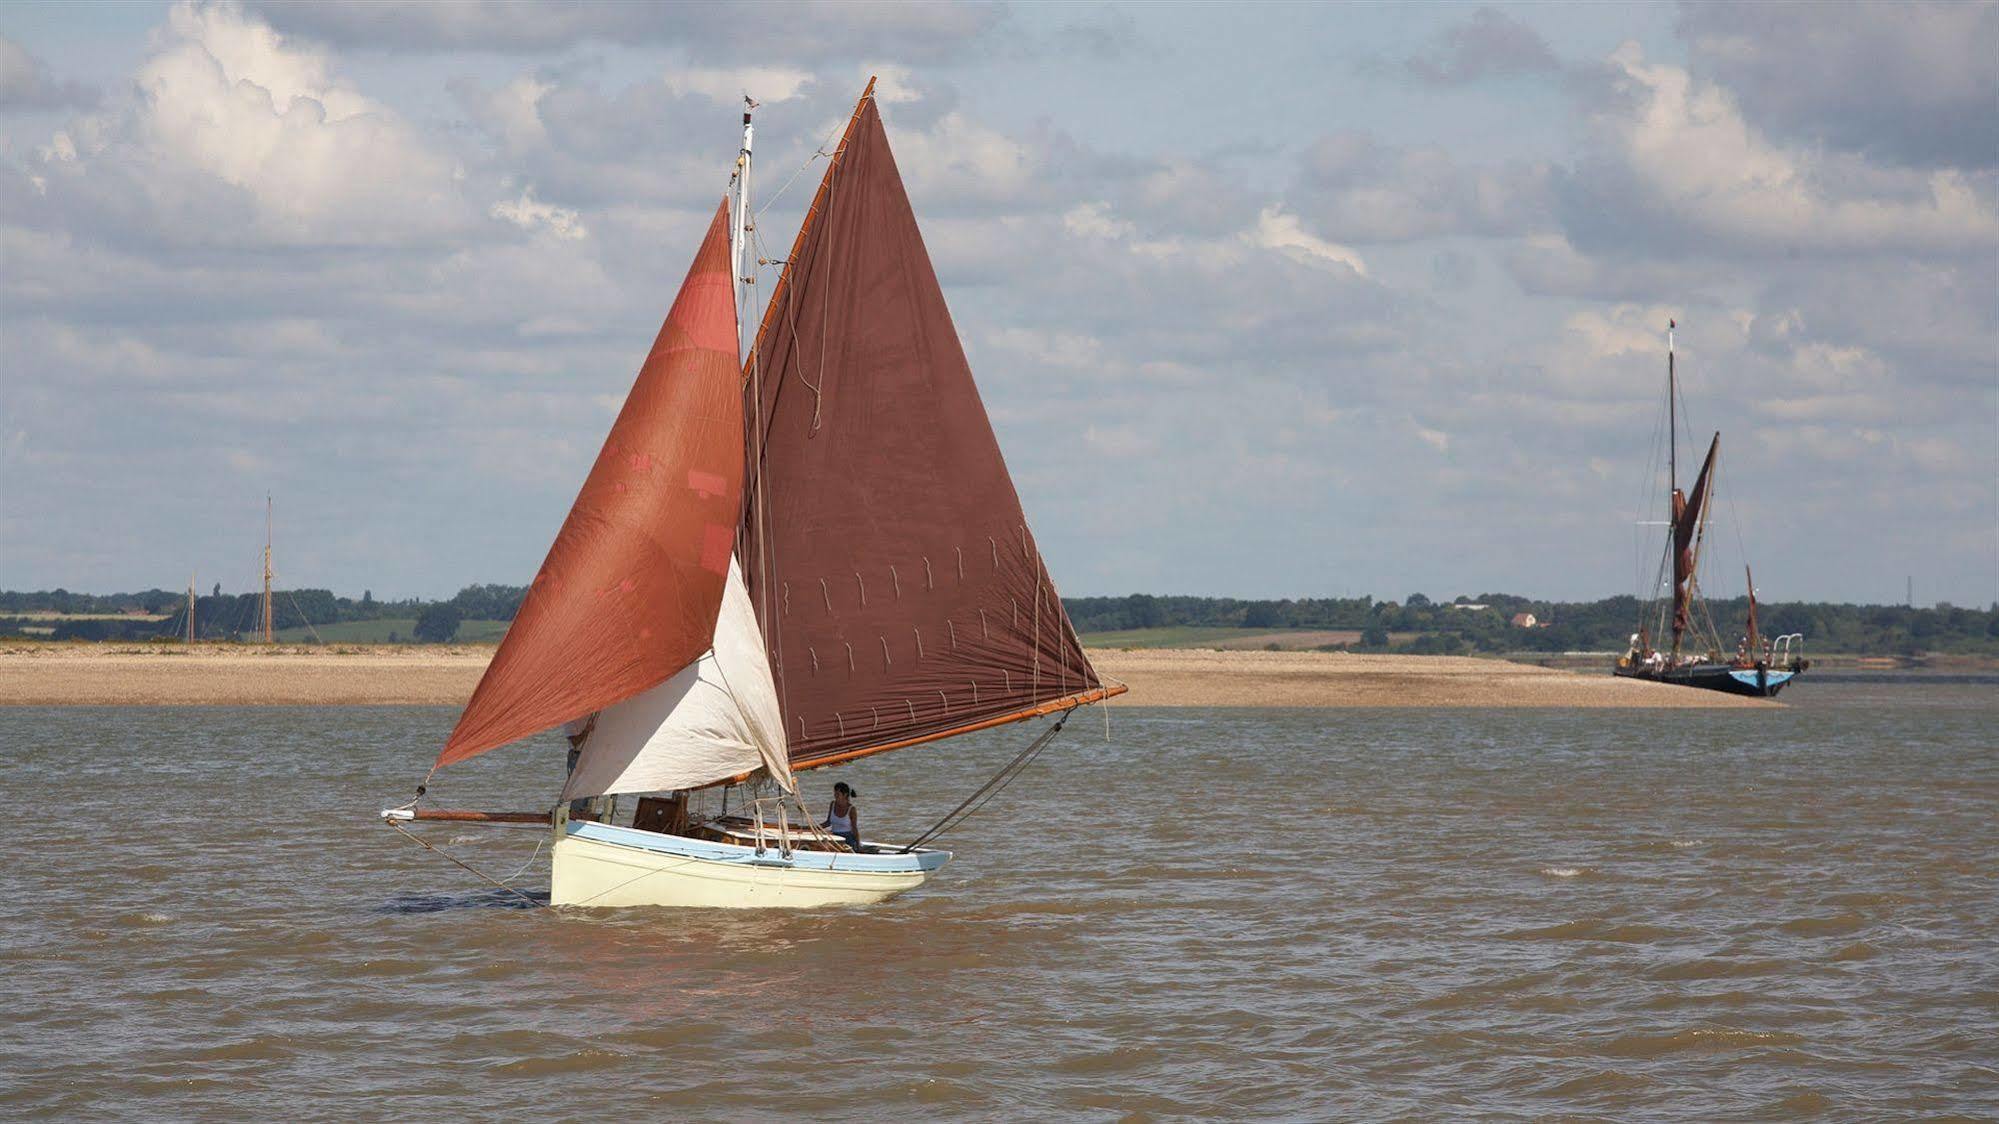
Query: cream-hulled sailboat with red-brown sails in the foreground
(787, 557)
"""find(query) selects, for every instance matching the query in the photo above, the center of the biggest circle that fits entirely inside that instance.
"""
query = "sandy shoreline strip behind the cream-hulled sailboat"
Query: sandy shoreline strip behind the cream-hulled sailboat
(345, 675)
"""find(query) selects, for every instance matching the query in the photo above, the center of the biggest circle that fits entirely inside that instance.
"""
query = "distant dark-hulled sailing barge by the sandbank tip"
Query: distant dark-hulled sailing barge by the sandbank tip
(1760, 667)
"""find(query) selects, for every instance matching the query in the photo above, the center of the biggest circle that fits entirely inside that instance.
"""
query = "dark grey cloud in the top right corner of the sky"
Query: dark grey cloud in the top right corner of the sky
(1914, 83)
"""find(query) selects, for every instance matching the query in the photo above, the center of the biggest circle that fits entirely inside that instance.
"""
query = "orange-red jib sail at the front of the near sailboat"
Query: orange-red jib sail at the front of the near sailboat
(631, 589)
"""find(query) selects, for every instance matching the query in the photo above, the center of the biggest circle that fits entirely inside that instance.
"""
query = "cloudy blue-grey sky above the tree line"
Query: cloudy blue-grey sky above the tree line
(1264, 301)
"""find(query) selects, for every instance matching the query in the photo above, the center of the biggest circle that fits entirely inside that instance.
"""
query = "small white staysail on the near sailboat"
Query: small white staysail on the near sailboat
(713, 721)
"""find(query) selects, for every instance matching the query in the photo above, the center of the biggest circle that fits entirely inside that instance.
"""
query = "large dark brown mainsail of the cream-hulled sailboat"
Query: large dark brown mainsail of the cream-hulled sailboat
(901, 591)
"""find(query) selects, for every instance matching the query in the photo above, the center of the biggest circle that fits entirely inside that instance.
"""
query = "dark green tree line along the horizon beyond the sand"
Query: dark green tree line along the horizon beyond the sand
(1464, 625)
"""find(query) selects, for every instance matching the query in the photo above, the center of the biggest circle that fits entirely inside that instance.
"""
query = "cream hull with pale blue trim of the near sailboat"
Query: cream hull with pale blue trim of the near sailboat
(609, 867)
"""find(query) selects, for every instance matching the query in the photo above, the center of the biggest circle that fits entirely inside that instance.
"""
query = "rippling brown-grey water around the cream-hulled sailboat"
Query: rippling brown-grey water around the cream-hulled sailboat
(1302, 915)
